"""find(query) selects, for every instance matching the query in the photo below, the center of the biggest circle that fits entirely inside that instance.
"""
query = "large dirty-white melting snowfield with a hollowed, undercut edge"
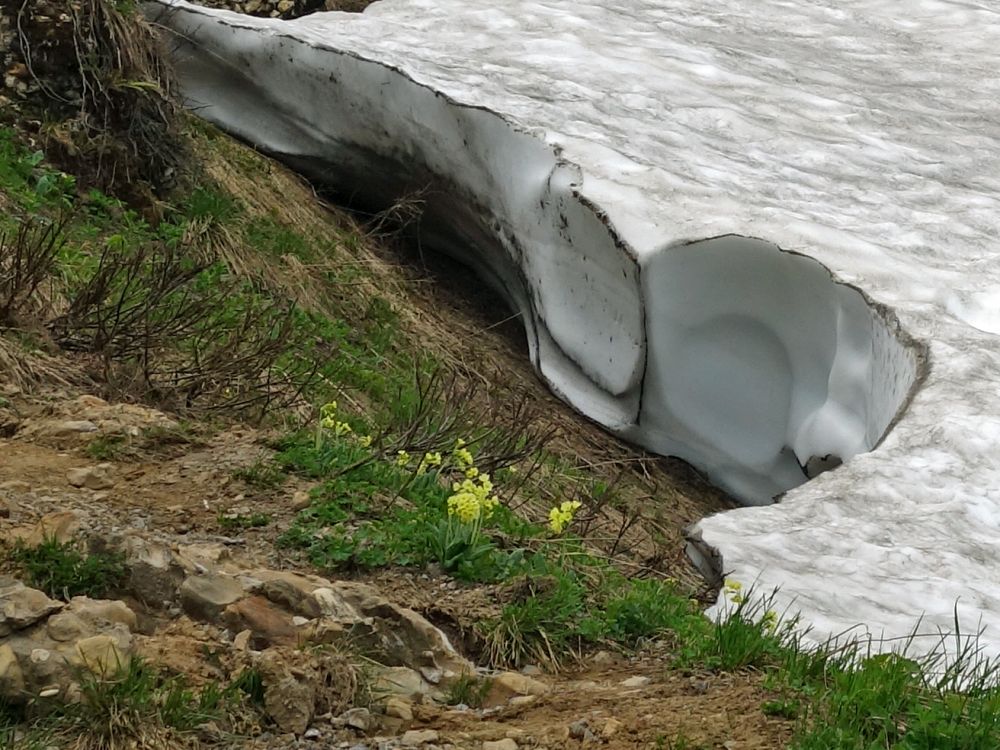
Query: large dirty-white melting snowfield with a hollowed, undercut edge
(585, 148)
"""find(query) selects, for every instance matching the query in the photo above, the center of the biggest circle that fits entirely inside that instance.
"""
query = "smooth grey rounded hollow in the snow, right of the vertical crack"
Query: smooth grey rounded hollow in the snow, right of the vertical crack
(762, 368)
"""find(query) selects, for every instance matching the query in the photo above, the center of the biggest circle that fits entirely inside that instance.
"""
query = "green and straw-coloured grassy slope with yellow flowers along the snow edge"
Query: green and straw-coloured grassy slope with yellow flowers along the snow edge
(379, 332)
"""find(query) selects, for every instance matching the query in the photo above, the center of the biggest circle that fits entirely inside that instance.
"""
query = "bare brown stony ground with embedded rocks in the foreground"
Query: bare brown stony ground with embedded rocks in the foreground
(207, 603)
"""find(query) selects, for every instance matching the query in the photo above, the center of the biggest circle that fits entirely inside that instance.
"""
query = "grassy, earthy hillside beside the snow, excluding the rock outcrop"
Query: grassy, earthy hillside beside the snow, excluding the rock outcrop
(389, 430)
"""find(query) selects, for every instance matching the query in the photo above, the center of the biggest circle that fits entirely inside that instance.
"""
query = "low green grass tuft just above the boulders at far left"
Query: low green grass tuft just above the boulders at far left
(62, 571)
